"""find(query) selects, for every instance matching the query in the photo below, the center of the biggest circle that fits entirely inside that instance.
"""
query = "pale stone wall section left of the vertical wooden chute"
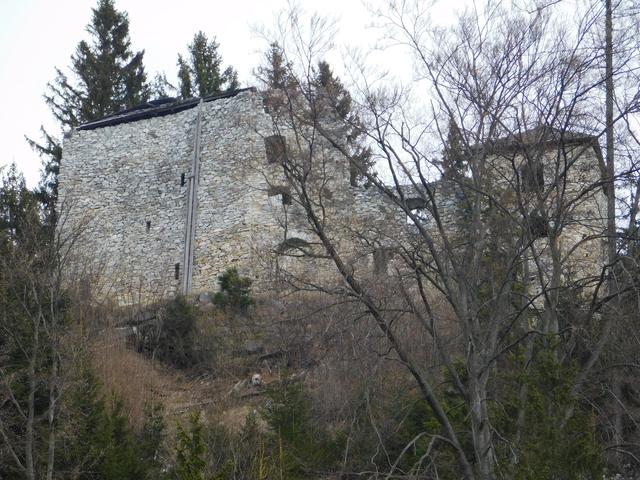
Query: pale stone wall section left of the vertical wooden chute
(113, 181)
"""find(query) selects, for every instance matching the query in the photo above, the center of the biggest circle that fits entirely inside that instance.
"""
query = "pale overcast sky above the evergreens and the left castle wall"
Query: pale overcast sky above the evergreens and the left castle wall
(38, 35)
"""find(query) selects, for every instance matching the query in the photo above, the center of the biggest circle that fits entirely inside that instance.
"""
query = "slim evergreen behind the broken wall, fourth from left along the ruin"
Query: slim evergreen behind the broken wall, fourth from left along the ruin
(332, 95)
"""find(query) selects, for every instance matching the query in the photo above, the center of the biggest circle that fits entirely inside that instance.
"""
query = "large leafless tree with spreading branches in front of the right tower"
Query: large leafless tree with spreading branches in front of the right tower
(515, 234)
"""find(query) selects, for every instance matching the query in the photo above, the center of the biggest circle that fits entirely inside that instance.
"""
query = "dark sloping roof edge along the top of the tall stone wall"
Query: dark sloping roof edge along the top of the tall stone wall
(141, 113)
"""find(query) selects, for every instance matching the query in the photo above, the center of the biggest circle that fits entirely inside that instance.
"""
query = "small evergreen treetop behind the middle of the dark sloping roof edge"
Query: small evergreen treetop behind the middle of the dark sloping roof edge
(199, 72)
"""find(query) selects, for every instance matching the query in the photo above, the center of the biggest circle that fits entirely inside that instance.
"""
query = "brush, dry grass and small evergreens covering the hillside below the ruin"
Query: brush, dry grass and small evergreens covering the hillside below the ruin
(328, 406)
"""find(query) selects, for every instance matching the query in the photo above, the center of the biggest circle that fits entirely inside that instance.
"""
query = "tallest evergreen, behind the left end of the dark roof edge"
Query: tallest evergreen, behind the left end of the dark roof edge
(105, 76)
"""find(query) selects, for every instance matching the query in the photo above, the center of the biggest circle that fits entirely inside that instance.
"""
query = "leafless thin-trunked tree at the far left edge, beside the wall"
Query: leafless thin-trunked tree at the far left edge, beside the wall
(34, 321)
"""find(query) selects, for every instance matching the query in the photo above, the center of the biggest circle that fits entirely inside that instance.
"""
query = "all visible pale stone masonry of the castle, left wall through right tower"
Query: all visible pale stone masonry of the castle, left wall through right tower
(123, 196)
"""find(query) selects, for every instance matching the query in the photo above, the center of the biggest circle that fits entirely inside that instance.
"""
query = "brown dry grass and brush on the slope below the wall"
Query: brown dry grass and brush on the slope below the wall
(340, 348)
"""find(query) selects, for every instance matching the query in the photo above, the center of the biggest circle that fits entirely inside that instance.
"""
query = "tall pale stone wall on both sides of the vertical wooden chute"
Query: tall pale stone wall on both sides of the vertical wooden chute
(122, 191)
